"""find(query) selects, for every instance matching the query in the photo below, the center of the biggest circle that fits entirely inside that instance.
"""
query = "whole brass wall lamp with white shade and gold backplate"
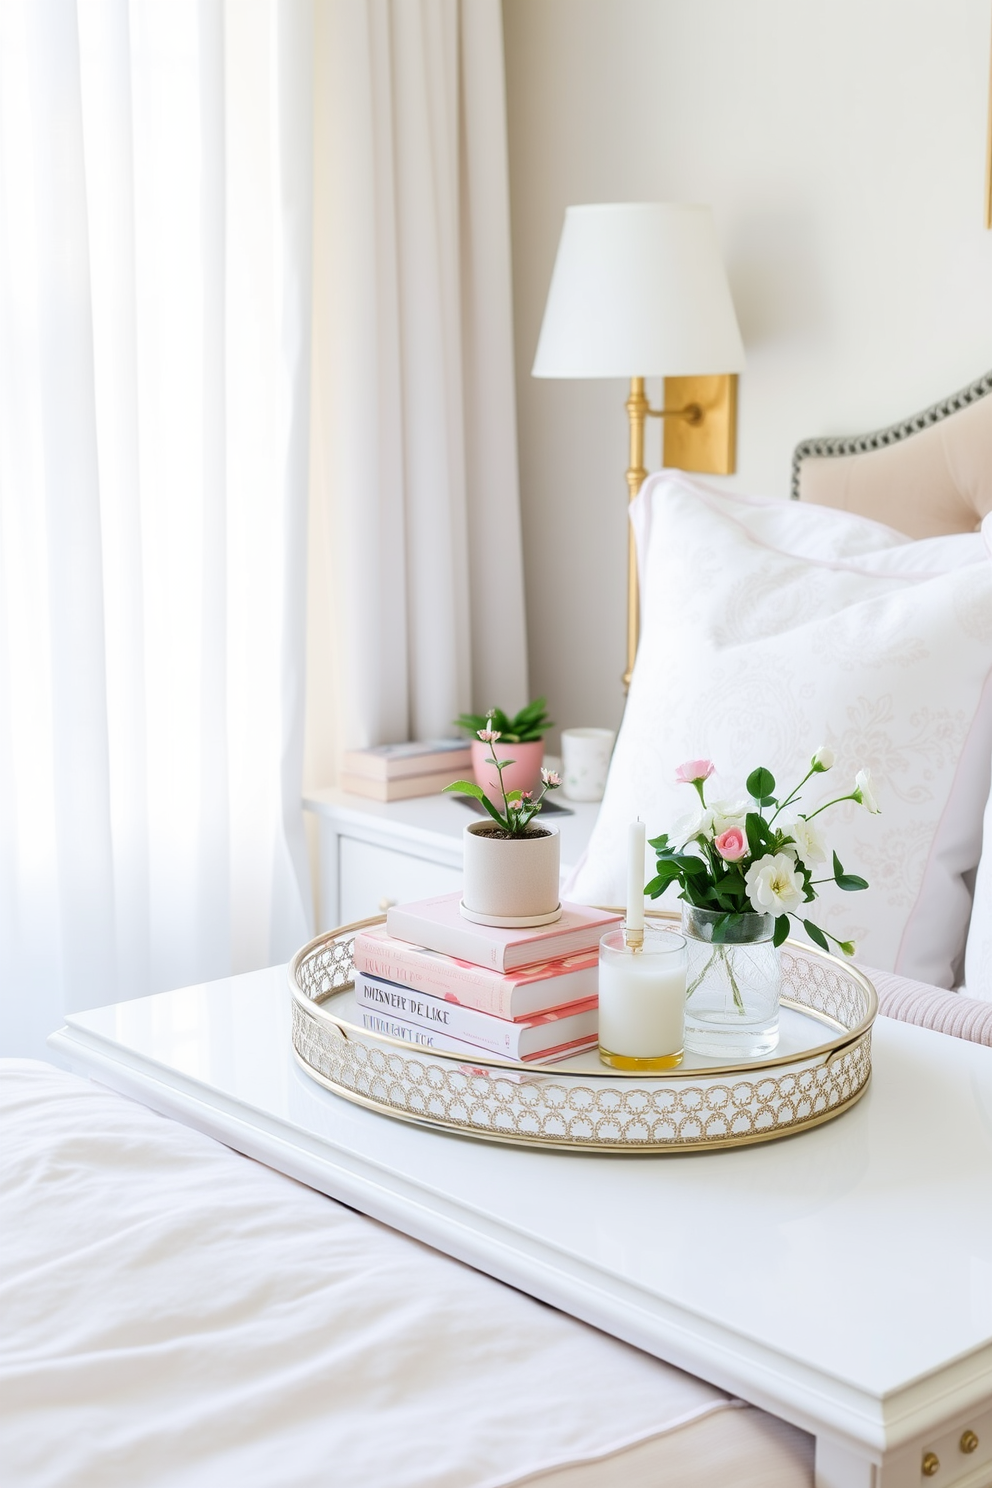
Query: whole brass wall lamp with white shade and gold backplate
(640, 291)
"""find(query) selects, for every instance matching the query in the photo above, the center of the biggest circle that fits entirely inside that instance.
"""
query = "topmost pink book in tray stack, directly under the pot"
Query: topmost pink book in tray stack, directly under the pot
(439, 926)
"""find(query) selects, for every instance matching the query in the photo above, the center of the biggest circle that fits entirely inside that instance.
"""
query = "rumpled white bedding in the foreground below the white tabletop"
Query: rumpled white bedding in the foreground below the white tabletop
(176, 1315)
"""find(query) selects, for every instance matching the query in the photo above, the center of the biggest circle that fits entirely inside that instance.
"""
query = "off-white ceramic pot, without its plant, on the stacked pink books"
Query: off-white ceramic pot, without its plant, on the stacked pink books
(511, 882)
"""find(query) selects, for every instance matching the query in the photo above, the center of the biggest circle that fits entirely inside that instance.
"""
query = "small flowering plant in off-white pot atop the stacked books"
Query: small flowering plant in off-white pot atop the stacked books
(511, 862)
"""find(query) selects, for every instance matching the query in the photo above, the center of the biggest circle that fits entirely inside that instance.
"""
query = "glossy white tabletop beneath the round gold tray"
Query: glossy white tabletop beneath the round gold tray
(854, 1261)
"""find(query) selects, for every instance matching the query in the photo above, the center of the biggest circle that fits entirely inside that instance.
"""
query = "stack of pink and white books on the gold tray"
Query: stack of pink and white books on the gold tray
(435, 980)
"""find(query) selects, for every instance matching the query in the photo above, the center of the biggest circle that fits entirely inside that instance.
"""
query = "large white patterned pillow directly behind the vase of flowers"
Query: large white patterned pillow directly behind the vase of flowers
(771, 629)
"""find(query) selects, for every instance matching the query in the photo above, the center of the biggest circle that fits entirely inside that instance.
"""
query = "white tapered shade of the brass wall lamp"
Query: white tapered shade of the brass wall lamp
(639, 291)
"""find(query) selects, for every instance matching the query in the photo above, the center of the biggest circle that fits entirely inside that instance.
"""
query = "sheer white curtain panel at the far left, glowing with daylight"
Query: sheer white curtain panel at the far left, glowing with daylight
(155, 312)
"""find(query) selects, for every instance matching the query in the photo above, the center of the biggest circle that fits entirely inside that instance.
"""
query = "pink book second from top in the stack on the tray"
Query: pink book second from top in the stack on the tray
(518, 995)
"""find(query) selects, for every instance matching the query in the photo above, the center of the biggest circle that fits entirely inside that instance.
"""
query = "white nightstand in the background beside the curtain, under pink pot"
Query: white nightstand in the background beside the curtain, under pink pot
(374, 855)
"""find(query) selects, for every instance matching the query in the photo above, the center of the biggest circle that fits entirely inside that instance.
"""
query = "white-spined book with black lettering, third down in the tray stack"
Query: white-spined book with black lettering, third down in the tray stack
(527, 1039)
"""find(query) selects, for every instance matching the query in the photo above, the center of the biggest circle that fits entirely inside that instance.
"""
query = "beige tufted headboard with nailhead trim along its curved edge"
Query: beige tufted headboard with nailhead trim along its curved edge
(926, 477)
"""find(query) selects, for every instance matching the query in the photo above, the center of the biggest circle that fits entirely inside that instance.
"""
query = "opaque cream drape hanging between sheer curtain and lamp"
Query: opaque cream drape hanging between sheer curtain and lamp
(417, 594)
